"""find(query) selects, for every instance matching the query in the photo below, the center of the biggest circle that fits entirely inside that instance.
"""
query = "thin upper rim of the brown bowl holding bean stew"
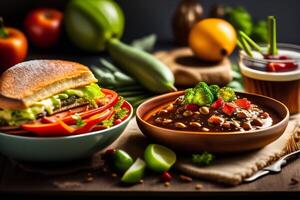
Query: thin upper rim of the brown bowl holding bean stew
(280, 123)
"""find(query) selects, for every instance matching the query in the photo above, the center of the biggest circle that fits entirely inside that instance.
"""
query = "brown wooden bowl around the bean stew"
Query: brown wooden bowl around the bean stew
(215, 142)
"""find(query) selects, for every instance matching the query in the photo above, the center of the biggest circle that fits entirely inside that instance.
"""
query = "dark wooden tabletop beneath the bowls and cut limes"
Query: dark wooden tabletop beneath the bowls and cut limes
(15, 182)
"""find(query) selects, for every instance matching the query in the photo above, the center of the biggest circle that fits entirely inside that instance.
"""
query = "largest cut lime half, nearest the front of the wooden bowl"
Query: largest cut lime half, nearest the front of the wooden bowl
(159, 158)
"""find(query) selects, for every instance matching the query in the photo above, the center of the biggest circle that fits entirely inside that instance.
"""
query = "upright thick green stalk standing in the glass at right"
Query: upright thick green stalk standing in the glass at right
(272, 36)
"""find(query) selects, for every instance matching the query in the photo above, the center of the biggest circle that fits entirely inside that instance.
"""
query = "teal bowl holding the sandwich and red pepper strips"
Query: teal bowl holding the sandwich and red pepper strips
(59, 149)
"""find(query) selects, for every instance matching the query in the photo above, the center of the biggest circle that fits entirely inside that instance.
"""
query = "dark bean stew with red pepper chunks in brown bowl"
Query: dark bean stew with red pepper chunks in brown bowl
(235, 114)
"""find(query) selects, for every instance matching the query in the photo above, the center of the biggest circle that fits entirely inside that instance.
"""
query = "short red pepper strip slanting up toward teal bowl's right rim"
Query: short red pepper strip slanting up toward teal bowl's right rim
(92, 122)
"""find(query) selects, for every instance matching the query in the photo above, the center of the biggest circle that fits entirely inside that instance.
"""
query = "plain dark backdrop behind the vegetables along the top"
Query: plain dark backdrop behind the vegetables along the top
(154, 16)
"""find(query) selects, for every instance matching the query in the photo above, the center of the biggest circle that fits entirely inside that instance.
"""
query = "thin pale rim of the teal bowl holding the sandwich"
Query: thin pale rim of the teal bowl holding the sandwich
(72, 136)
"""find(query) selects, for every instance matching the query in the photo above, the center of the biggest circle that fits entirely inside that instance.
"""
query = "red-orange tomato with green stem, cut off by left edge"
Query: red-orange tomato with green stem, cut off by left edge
(13, 47)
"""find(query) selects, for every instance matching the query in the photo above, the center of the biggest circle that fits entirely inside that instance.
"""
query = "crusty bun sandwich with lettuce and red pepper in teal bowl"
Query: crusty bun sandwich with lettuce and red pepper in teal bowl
(42, 93)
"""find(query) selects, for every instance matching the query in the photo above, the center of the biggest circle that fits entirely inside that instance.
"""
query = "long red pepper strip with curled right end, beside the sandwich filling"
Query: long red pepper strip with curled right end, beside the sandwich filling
(67, 115)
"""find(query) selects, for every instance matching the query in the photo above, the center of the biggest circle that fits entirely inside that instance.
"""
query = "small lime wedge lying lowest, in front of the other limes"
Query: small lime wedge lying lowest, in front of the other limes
(135, 173)
